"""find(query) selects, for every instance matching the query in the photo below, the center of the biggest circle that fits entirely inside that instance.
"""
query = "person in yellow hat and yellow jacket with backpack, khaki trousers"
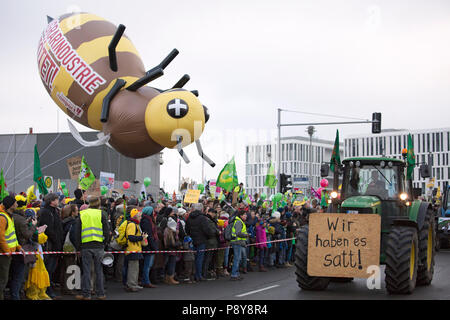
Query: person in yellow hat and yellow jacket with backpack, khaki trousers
(135, 240)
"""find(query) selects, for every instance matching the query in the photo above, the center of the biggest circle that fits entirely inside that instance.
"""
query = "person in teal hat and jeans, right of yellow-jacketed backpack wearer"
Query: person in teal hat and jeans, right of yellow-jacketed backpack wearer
(148, 225)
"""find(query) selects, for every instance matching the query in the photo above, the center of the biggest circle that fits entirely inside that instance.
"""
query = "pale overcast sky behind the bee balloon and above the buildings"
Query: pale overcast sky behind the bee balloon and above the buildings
(248, 58)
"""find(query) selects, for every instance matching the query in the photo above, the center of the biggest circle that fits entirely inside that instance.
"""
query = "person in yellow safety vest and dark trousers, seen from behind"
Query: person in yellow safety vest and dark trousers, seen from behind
(91, 233)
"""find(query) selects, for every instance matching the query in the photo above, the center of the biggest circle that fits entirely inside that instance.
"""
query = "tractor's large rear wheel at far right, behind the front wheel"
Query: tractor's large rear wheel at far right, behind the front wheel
(427, 250)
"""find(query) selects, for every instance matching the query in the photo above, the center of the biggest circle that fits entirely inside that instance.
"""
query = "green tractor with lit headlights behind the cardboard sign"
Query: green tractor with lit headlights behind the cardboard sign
(408, 235)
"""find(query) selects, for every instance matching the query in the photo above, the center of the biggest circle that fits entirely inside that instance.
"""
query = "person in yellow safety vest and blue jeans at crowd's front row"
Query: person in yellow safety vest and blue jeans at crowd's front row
(238, 242)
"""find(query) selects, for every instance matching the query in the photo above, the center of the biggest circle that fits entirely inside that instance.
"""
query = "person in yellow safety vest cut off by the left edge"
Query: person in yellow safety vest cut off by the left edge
(8, 240)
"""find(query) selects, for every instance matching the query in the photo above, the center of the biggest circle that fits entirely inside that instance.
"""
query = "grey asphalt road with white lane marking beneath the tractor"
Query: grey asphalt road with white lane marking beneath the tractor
(280, 284)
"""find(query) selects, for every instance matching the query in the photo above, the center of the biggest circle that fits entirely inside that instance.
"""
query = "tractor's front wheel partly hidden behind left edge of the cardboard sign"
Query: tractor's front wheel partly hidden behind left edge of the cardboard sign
(306, 282)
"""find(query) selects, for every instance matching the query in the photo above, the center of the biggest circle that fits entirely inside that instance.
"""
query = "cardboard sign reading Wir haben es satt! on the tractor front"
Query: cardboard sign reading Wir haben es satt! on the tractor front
(343, 245)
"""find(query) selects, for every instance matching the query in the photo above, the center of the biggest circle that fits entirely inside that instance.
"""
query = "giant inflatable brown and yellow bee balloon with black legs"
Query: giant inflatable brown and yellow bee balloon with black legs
(95, 75)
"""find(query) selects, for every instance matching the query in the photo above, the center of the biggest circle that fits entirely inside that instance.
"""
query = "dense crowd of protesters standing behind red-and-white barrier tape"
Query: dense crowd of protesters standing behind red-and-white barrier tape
(189, 241)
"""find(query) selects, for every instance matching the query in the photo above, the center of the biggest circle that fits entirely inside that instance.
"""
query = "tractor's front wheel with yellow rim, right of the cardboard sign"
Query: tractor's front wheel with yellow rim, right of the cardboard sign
(402, 259)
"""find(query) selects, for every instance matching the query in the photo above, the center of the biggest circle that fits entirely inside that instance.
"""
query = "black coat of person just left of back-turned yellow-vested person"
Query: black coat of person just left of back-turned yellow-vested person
(50, 216)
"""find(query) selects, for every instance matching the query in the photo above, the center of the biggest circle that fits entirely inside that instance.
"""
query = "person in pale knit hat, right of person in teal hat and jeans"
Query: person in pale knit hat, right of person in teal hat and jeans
(172, 243)
